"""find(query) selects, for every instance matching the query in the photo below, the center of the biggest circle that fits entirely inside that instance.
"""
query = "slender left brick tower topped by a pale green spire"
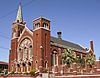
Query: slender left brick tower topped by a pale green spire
(17, 28)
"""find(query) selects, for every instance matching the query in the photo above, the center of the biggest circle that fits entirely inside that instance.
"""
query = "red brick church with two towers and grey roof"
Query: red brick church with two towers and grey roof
(36, 48)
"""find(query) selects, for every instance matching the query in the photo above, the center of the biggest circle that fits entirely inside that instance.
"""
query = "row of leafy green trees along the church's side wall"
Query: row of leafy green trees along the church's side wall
(68, 58)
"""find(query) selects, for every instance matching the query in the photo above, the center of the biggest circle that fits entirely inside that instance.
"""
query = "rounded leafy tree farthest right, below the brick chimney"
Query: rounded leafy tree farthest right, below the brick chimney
(90, 59)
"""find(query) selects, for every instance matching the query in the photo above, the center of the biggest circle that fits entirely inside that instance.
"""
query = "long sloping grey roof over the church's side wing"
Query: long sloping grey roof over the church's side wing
(66, 44)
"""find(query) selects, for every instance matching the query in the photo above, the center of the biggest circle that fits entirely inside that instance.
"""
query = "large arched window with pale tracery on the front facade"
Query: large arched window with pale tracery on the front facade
(25, 49)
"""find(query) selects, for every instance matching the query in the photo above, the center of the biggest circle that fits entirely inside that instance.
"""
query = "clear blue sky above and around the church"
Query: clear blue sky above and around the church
(79, 20)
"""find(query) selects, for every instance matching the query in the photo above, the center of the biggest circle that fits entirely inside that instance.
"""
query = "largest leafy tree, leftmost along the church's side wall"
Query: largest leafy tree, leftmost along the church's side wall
(68, 57)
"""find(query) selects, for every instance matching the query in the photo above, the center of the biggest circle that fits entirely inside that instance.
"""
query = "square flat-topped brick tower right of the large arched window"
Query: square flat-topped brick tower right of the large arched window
(41, 43)
